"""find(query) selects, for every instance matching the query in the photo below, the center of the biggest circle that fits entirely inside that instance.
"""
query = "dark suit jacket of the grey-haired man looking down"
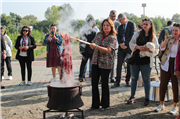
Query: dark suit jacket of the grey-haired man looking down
(129, 32)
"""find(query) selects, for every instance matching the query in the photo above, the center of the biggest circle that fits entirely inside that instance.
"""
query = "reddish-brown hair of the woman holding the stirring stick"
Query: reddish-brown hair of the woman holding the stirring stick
(113, 31)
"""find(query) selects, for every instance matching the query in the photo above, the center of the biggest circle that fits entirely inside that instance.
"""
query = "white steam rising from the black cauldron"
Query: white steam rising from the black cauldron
(65, 26)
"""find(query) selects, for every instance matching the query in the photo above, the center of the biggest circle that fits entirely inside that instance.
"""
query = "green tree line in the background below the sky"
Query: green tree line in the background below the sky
(55, 13)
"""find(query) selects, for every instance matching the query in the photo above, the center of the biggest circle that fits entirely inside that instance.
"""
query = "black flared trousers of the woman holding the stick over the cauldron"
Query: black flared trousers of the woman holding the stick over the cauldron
(96, 73)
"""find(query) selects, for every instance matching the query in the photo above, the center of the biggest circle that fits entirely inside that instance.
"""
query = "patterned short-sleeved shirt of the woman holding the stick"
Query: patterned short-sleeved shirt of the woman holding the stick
(104, 60)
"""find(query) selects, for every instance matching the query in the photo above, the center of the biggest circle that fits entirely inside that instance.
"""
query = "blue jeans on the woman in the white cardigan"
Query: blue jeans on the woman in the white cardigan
(146, 73)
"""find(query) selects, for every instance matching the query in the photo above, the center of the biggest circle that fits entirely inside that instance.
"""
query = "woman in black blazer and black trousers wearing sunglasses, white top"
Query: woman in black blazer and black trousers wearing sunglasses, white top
(25, 44)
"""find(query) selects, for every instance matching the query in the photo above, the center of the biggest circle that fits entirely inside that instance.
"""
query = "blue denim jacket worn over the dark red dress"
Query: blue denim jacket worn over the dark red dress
(58, 41)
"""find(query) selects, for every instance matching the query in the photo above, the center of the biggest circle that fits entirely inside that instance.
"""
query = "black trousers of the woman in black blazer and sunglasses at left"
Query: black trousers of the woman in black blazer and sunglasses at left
(22, 62)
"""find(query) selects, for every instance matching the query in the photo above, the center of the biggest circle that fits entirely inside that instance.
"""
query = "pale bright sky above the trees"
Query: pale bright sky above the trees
(98, 8)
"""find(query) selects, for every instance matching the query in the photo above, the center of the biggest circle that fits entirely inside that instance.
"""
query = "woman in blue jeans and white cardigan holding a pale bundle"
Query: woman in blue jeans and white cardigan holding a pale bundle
(142, 63)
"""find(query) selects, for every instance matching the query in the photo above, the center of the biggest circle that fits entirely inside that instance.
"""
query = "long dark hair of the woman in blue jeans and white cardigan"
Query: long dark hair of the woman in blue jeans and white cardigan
(151, 32)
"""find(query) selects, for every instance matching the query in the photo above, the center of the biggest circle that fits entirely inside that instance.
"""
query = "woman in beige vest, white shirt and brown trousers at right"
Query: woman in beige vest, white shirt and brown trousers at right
(170, 47)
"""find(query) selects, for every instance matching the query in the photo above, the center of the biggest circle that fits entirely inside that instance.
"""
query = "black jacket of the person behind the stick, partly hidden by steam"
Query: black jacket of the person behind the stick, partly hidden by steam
(84, 48)
